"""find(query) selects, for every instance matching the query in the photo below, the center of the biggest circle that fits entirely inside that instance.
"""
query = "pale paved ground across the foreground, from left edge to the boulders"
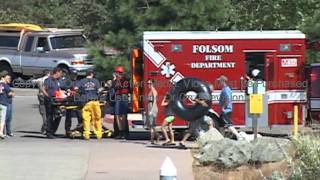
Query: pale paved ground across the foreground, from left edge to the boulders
(29, 155)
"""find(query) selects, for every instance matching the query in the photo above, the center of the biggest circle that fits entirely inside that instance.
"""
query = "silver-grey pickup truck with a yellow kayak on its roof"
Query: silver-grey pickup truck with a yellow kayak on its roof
(27, 53)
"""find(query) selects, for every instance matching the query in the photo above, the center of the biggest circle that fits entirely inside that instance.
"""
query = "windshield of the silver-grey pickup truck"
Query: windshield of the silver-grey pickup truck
(65, 42)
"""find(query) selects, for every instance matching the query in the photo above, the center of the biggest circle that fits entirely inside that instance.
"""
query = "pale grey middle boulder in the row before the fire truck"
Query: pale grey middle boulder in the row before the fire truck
(237, 154)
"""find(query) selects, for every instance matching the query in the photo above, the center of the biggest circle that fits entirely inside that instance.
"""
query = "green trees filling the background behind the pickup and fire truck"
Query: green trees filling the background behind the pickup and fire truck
(120, 24)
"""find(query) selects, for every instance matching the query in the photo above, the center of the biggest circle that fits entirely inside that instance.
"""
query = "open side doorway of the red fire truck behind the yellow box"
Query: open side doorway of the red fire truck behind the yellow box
(263, 62)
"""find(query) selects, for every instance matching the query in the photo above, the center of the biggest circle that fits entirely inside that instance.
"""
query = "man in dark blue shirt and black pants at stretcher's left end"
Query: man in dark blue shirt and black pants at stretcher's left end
(51, 86)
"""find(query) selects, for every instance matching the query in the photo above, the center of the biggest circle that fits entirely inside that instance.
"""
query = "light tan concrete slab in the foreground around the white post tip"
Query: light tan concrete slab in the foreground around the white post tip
(133, 160)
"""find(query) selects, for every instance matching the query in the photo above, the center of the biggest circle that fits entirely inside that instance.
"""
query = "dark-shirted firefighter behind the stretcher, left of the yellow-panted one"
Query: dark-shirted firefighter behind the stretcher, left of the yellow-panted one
(69, 85)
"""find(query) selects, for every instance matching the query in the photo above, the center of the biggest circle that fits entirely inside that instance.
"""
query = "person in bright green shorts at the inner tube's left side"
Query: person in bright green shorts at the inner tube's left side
(168, 120)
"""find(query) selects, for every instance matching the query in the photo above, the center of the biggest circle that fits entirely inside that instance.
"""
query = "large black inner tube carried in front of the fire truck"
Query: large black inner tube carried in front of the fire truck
(196, 111)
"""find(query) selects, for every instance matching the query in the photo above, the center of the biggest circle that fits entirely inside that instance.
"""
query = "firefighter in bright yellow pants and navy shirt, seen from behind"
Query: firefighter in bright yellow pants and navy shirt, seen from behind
(89, 88)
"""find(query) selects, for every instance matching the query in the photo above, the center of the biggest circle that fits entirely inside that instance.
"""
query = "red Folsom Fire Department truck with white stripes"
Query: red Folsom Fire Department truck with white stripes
(168, 57)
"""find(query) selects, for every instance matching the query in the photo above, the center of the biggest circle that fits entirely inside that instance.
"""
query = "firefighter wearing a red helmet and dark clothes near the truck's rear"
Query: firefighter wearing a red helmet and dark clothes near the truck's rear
(122, 89)
